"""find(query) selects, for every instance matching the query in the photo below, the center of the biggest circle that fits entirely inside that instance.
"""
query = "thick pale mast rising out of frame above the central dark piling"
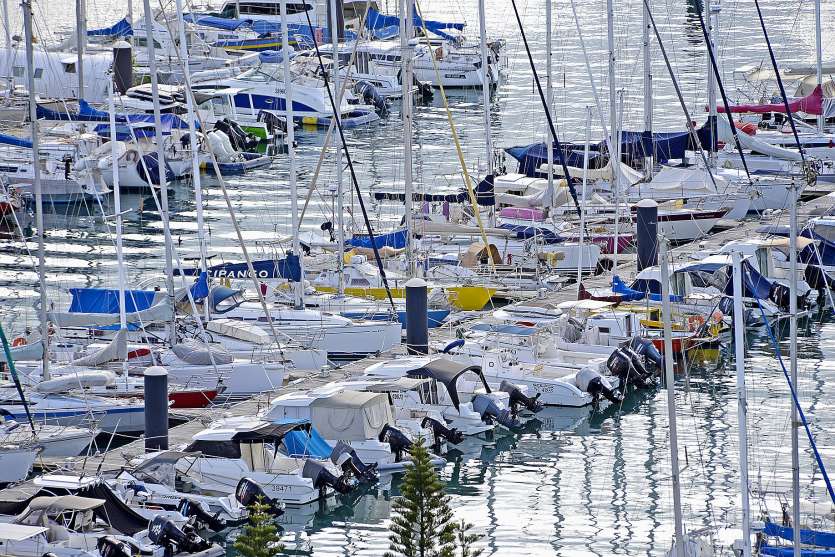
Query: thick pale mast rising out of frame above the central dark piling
(406, 59)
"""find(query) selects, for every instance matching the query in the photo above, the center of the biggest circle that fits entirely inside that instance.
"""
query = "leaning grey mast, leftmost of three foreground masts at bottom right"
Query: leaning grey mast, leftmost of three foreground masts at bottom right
(670, 380)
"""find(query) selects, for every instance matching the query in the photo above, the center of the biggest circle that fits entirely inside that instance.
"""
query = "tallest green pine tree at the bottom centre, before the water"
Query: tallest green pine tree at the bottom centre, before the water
(421, 525)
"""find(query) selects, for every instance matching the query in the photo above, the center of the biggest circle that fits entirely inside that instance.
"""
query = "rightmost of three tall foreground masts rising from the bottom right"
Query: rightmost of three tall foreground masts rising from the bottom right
(793, 365)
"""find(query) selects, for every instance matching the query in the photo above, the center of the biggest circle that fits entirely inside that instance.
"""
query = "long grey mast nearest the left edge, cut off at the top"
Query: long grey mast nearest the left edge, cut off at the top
(36, 180)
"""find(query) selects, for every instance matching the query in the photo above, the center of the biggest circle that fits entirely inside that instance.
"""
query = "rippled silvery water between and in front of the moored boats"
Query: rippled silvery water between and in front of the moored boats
(586, 483)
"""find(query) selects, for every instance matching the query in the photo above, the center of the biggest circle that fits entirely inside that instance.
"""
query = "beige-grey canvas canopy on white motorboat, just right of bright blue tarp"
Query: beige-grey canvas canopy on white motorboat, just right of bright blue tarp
(351, 415)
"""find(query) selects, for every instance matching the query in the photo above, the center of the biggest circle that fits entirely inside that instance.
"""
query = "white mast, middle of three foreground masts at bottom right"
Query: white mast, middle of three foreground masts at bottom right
(741, 402)
